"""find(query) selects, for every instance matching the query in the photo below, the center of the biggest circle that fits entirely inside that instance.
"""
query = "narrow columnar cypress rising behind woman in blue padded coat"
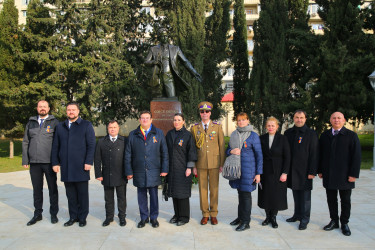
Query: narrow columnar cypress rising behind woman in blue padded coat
(240, 58)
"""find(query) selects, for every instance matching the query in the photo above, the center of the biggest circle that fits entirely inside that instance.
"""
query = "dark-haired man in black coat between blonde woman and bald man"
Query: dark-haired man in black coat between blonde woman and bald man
(304, 148)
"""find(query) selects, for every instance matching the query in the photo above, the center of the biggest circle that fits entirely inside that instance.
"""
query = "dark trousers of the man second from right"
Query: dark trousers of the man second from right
(302, 205)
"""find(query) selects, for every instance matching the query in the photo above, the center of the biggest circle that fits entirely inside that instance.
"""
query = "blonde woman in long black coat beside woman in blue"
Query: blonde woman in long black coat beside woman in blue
(276, 162)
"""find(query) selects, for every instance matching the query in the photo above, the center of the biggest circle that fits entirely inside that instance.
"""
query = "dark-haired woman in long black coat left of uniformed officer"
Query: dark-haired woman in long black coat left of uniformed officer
(182, 157)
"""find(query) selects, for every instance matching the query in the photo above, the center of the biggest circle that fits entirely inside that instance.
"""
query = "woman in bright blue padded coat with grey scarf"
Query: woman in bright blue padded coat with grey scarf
(244, 142)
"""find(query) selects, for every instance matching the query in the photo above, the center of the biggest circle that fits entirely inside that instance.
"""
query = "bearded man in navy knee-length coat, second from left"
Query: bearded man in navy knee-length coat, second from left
(73, 151)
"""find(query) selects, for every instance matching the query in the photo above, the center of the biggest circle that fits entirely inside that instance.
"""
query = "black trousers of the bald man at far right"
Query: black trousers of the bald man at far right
(333, 205)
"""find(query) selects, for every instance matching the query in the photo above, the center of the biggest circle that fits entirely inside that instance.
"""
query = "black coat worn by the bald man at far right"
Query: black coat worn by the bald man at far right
(340, 157)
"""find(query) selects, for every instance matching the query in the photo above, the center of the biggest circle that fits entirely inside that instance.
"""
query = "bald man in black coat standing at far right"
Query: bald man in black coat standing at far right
(339, 167)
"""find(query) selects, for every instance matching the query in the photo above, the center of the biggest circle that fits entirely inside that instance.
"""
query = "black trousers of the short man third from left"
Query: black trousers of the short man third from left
(109, 193)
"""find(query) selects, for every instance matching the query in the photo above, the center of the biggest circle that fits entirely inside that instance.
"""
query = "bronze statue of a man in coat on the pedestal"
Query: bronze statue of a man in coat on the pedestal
(163, 58)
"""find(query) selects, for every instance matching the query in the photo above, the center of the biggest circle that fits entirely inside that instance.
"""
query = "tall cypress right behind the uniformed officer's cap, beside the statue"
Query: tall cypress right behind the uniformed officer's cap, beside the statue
(215, 53)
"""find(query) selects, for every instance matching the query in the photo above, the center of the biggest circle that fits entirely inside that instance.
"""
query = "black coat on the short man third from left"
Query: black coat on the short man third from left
(109, 161)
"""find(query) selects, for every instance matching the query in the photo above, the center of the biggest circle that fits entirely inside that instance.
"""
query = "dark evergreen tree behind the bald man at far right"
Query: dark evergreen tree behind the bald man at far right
(346, 59)
